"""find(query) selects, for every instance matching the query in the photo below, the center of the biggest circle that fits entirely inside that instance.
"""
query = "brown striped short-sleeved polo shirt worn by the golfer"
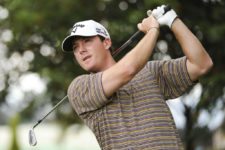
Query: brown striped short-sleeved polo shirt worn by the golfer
(136, 117)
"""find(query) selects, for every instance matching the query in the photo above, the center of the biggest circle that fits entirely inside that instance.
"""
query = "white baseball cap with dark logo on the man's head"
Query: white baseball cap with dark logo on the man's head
(84, 28)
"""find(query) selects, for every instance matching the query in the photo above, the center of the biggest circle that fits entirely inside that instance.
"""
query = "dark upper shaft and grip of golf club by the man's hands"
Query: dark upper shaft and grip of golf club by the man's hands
(135, 35)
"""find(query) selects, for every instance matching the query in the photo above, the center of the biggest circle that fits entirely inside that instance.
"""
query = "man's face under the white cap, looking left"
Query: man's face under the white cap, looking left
(90, 53)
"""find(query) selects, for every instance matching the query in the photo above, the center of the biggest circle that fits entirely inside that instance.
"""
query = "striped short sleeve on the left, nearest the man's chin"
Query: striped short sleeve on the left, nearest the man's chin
(86, 93)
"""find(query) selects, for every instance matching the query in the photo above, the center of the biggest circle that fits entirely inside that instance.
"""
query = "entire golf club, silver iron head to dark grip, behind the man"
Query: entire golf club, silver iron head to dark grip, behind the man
(31, 136)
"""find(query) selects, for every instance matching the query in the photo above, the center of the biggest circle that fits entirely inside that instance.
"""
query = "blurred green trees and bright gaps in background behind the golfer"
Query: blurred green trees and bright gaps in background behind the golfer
(35, 73)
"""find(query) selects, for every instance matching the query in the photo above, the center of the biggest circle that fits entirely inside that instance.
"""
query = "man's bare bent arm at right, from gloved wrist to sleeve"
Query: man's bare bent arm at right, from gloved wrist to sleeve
(198, 60)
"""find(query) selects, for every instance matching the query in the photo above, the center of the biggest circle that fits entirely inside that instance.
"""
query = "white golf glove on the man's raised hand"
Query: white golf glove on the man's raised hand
(162, 17)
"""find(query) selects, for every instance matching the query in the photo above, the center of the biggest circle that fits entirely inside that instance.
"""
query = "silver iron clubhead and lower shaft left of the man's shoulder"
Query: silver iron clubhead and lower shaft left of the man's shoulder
(31, 136)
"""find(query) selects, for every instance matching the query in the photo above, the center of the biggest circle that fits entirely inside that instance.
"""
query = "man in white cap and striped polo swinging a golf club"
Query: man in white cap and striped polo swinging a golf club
(124, 102)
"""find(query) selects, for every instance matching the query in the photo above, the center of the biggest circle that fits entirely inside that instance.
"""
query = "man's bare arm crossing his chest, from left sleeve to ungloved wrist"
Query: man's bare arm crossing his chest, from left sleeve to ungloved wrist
(123, 71)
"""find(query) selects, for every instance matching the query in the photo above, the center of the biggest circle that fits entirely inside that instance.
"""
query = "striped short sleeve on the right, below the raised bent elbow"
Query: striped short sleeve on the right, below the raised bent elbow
(172, 76)
